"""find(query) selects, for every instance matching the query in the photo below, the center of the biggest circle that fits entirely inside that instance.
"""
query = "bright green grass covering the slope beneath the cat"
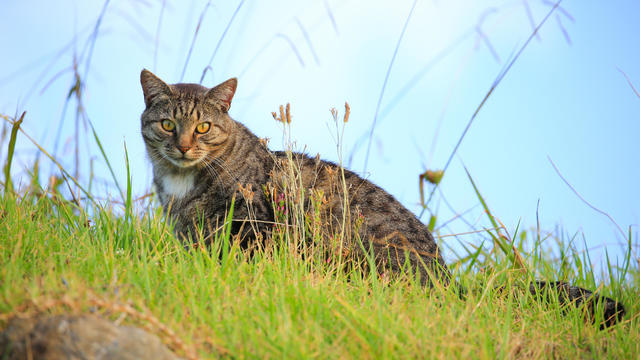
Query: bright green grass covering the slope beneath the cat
(57, 257)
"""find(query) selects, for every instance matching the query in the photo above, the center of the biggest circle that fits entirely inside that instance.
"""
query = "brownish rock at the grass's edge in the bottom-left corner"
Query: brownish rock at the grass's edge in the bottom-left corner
(78, 337)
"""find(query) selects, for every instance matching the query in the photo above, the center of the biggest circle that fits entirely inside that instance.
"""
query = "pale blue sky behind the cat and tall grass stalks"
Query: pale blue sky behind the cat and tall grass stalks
(417, 70)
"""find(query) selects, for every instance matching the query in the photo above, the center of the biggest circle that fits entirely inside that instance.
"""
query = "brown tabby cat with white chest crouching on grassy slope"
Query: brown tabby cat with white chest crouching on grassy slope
(203, 160)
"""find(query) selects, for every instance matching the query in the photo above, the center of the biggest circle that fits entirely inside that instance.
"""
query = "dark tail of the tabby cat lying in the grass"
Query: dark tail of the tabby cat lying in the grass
(613, 310)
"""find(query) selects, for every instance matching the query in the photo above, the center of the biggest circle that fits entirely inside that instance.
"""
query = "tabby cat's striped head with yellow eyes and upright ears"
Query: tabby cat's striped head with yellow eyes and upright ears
(185, 125)
